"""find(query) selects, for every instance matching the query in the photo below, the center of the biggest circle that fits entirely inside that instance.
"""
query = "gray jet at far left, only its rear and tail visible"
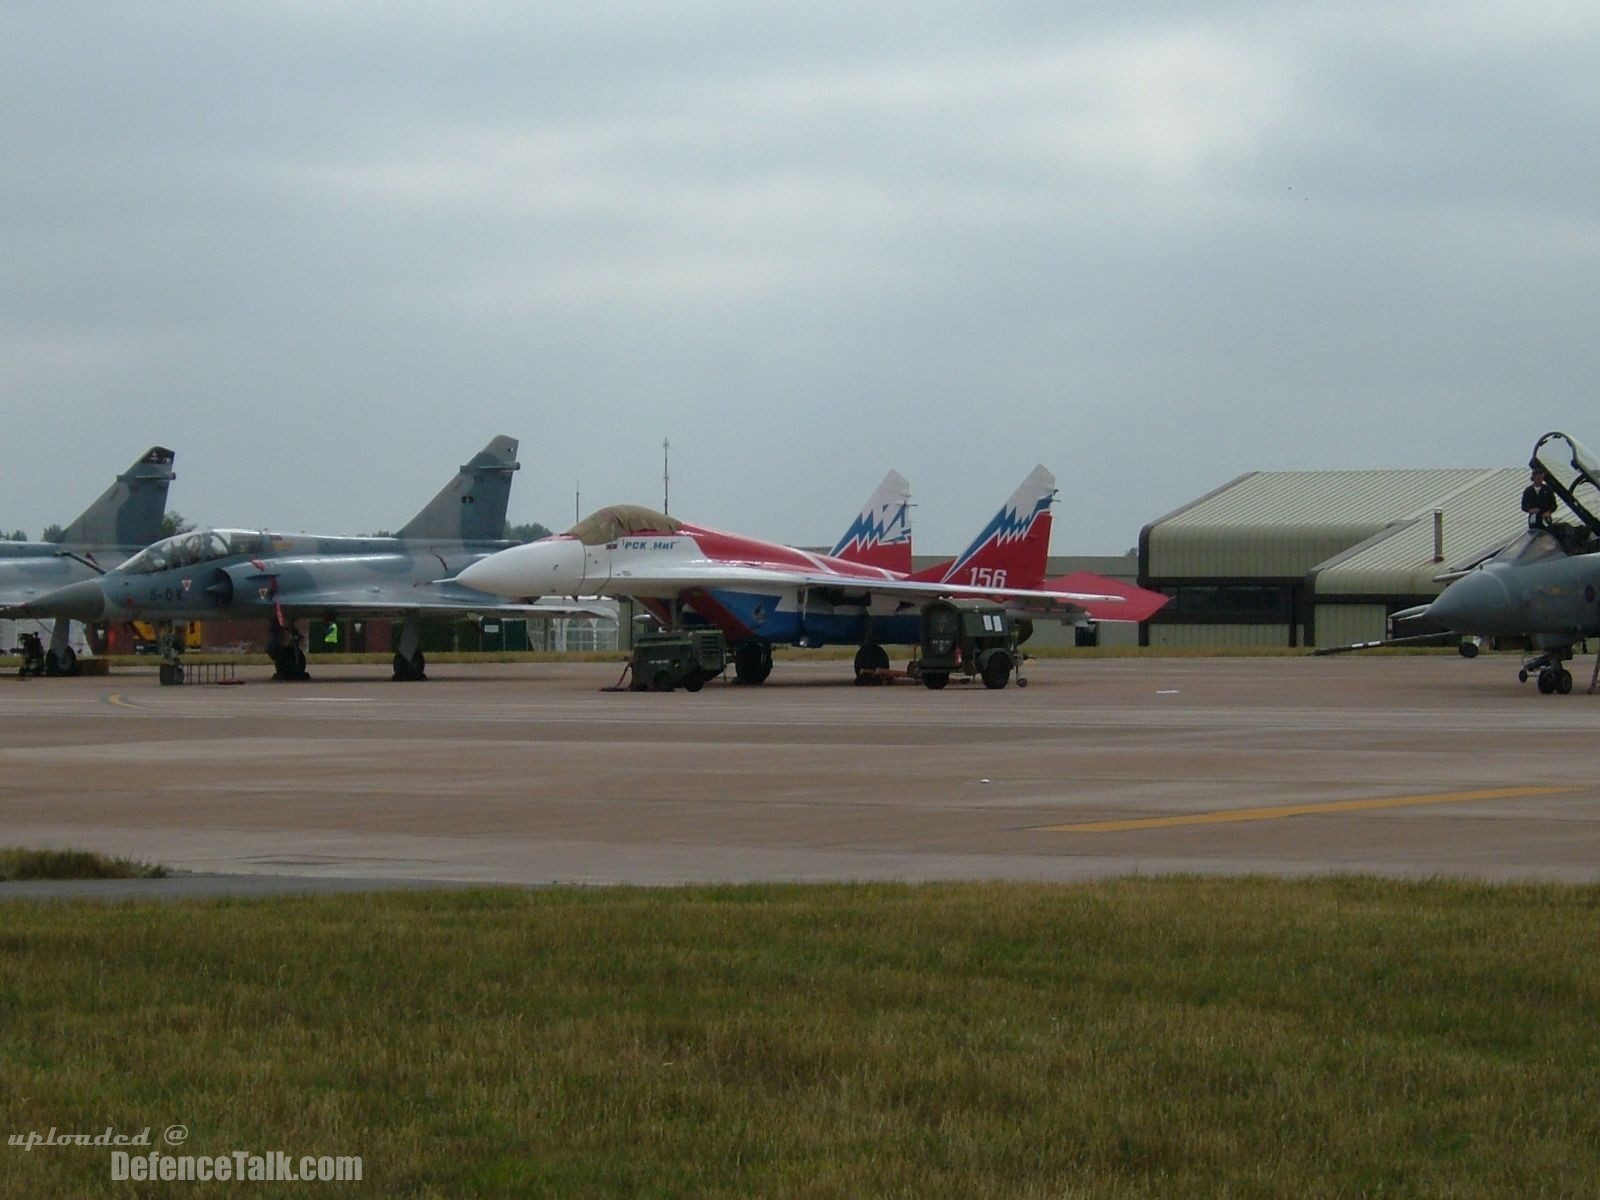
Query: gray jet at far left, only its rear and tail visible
(122, 522)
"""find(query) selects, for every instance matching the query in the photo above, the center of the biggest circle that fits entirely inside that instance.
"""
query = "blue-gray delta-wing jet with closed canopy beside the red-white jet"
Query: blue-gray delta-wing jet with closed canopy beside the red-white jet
(287, 577)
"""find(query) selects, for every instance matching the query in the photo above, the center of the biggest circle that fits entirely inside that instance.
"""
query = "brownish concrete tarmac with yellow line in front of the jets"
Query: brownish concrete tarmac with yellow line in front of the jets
(529, 774)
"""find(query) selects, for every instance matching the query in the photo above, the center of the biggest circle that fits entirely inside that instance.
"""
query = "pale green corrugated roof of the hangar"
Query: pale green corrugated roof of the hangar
(1284, 524)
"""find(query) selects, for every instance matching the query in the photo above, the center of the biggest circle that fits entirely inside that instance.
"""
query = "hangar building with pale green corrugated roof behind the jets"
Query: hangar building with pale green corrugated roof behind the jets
(1319, 558)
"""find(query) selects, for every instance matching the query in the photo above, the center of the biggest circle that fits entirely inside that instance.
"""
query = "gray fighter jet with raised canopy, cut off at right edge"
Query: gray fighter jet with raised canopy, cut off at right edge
(1542, 590)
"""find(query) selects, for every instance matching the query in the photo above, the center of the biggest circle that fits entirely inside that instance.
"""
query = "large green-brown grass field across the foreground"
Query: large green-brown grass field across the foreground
(1130, 1039)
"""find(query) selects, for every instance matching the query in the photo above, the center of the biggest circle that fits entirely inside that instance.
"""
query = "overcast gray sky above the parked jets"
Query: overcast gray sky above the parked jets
(327, 250)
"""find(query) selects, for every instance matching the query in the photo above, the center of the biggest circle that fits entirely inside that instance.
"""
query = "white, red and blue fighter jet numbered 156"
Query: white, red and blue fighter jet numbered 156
(762, 594)
